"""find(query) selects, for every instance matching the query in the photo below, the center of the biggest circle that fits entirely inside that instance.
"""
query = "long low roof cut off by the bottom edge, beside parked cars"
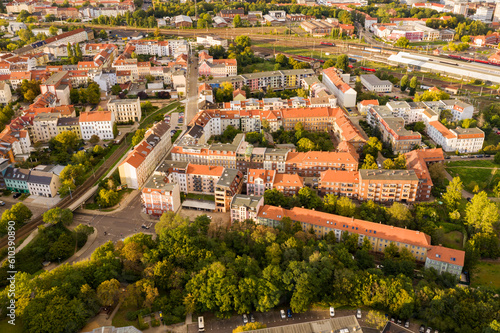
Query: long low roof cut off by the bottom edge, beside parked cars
(347, 324)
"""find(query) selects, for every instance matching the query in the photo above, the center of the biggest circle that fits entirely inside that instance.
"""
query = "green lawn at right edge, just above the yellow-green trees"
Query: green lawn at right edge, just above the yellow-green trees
(486, 179)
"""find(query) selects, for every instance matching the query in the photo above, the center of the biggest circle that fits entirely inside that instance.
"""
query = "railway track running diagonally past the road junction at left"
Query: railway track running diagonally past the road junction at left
(25, 230)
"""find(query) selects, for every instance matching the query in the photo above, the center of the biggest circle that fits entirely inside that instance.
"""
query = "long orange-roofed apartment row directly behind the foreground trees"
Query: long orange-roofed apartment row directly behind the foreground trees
(379, 235)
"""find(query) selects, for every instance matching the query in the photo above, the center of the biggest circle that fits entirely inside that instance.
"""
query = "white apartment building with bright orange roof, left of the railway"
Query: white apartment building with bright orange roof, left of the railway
(98, 123)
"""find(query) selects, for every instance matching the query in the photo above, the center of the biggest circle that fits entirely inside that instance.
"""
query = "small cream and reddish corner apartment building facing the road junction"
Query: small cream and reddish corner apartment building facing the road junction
(159, 197)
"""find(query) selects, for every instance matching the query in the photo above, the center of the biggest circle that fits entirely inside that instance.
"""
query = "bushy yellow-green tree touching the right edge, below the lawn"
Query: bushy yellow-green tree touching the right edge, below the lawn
(481, 214)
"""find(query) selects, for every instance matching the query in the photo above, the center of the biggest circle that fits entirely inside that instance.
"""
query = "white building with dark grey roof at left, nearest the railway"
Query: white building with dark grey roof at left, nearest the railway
(44, 181)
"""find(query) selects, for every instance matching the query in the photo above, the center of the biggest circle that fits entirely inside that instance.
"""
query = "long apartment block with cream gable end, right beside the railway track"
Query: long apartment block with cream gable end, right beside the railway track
(144, 158)
